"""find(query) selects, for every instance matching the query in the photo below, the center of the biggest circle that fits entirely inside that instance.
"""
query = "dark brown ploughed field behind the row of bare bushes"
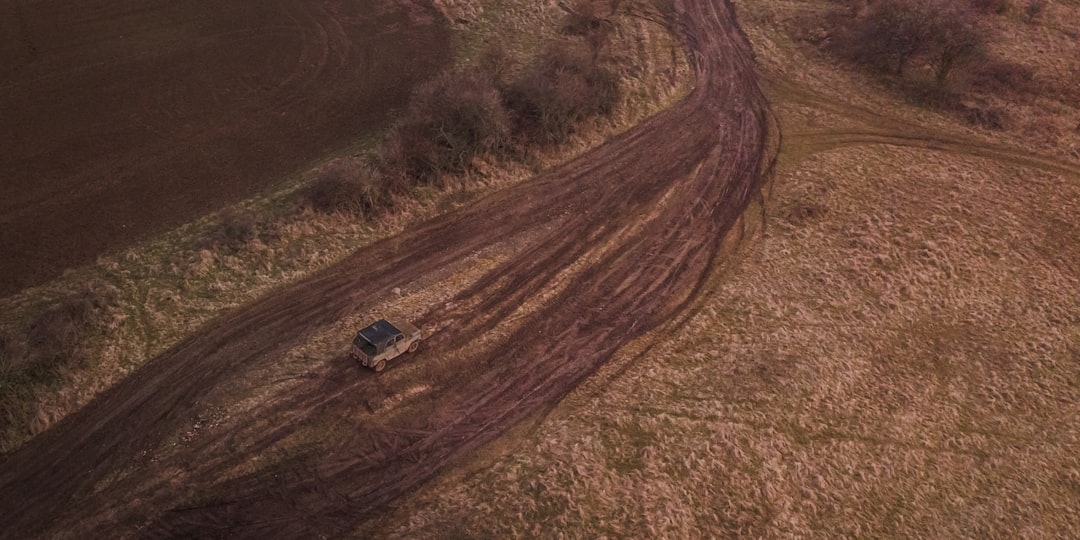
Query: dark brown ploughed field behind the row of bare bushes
(123, 119)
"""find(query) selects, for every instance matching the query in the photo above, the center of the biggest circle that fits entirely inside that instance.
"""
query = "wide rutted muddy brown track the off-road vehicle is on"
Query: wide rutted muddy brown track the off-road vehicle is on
(625, 237)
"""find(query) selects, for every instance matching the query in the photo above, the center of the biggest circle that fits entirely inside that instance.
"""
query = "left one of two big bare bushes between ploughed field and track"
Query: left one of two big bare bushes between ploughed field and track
(451, 121)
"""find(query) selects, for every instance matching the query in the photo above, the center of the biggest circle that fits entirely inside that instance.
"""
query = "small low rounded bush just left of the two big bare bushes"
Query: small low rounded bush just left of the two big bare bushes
(346, 186)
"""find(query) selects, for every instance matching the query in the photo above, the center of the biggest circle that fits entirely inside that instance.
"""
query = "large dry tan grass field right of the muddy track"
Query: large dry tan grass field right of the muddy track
(896, 354)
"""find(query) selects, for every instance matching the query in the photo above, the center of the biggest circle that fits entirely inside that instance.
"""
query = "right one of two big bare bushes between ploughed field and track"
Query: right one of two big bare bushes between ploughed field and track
(564, 87)
